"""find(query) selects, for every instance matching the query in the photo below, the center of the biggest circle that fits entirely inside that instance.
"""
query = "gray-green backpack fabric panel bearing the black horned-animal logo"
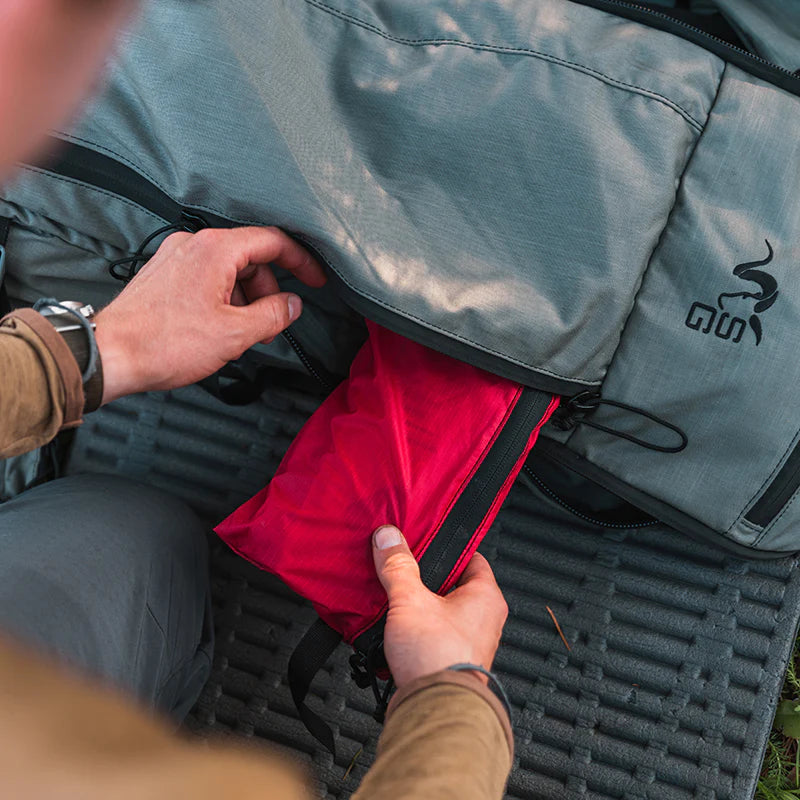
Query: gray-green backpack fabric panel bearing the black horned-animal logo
(710, 350)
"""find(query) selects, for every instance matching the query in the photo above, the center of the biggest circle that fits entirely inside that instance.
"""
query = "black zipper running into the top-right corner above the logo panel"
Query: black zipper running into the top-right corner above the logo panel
(747, 61)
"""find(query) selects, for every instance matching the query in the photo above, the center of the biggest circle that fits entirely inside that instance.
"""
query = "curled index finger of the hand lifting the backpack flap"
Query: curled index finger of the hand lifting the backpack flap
(271, 245)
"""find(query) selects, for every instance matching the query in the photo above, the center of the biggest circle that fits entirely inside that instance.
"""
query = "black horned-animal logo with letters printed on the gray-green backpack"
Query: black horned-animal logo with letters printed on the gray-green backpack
(702, 317)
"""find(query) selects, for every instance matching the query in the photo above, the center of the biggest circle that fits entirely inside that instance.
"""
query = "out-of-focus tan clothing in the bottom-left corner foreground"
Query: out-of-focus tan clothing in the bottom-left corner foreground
(65, 738)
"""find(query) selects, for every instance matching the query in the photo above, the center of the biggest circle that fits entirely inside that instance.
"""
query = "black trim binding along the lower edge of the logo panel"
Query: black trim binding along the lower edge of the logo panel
(657, 508)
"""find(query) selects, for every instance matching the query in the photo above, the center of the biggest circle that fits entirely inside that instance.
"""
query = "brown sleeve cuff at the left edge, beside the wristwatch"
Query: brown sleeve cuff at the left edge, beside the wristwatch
(40, 385)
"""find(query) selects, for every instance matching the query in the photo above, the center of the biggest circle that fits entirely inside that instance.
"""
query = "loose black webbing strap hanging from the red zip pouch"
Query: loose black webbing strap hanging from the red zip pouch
(307, 660)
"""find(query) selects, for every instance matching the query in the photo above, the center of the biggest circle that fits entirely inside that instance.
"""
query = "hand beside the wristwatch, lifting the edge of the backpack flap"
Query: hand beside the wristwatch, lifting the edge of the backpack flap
(201, 301)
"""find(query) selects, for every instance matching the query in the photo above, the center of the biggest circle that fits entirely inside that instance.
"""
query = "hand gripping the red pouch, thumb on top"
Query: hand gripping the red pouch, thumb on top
(426, 633)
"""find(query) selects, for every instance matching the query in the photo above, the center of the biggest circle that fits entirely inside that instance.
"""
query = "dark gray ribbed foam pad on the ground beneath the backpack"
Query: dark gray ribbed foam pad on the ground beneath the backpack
(678, 650)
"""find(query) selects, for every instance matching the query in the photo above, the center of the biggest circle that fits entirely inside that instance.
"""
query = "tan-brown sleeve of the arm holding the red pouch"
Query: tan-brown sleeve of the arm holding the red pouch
(447, 737)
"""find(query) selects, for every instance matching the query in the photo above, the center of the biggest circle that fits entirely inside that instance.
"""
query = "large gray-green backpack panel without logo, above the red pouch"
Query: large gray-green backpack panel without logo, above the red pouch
(498, 173)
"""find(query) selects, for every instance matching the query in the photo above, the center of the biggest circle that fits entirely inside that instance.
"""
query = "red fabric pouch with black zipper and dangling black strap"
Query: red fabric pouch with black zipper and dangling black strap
(412, 438)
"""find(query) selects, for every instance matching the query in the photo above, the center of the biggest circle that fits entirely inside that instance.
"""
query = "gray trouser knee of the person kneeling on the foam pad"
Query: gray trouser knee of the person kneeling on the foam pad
(112, 577)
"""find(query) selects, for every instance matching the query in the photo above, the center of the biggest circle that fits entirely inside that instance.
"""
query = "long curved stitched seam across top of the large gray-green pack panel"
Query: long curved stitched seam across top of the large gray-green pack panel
(506, 50)
